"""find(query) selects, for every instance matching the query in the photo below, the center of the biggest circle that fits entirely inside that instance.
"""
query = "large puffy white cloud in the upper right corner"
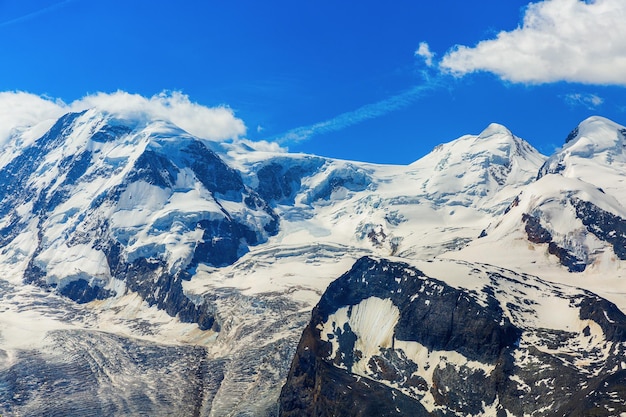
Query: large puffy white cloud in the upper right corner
(559, 40)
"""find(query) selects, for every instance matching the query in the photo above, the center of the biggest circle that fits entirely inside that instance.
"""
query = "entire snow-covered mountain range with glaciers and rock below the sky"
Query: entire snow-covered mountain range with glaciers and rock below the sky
(134, 252)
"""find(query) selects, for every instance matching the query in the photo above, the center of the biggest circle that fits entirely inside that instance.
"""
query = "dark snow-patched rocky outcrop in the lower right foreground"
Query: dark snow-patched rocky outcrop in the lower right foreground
(511, 368)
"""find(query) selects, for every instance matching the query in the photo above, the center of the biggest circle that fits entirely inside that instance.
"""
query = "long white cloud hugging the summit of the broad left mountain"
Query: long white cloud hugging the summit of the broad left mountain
(212, 123)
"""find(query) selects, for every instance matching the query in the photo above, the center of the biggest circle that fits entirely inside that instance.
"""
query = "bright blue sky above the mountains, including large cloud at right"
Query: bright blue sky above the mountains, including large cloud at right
(371, 80)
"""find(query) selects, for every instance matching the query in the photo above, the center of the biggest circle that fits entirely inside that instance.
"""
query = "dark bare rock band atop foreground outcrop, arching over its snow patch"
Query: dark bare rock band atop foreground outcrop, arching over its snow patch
(444, 320)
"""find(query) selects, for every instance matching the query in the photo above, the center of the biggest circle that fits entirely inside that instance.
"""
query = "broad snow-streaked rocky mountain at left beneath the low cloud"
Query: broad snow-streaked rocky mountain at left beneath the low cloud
(93, 182)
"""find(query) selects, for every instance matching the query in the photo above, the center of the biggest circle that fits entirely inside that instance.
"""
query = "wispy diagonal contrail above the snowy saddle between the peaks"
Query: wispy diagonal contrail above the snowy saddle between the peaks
(351, 118)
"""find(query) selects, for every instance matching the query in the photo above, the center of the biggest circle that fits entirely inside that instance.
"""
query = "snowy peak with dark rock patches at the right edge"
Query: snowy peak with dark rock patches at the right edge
(572, 217)
